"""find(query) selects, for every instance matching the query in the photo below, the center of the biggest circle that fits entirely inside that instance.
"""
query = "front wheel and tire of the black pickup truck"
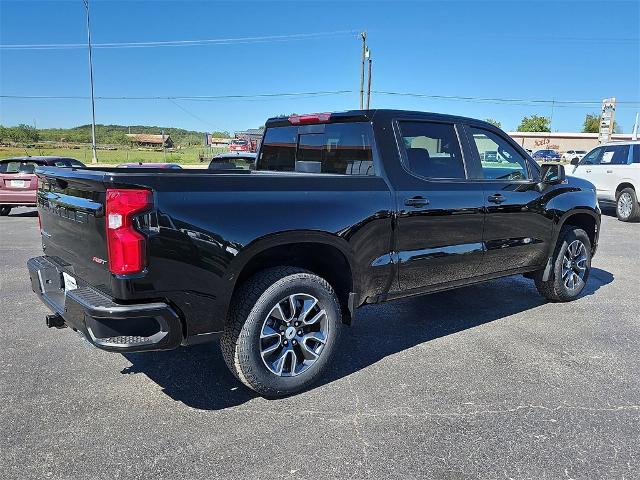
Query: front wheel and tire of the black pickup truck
(559, 286)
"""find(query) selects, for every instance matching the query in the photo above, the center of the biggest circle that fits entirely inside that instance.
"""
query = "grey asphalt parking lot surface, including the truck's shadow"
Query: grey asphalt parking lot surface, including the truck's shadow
(487, 381)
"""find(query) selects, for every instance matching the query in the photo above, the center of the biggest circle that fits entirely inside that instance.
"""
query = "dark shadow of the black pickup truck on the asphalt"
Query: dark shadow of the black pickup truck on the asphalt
(198, 377)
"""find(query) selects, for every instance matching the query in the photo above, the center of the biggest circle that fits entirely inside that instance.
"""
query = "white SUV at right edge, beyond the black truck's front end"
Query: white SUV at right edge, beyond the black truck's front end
(614, 168)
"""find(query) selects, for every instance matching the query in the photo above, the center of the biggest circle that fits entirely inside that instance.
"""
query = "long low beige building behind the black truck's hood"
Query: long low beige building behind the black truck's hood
(561, 141)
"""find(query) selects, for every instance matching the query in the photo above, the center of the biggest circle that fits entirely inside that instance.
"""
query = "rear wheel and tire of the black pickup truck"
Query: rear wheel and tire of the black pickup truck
(259, 345)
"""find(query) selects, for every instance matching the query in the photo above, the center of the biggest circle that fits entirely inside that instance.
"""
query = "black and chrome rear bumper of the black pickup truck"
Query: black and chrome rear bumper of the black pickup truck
(106, 324)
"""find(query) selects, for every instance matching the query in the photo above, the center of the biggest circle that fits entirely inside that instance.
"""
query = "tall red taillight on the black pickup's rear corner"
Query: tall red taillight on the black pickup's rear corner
(125, 244)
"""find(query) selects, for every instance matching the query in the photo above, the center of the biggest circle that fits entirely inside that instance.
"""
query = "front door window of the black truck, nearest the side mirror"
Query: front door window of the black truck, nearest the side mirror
(499, 160)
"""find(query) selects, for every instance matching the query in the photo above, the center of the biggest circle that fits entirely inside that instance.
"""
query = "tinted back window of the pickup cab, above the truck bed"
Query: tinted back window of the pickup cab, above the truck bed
(341, 148)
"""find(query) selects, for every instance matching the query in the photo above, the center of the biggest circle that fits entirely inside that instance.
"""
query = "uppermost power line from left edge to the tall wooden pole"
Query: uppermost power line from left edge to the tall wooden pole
(184, 43)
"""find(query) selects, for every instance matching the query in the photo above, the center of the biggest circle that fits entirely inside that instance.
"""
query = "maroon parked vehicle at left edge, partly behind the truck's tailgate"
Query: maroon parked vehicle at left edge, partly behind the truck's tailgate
(18, 182)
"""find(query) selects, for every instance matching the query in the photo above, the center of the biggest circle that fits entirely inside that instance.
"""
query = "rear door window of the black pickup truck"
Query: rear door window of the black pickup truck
(432, 150)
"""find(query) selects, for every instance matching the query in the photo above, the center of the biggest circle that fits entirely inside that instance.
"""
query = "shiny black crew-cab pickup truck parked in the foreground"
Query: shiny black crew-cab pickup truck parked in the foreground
(341, 210)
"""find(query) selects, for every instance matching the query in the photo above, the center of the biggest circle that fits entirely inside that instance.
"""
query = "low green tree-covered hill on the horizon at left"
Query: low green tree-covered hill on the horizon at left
(105, 134)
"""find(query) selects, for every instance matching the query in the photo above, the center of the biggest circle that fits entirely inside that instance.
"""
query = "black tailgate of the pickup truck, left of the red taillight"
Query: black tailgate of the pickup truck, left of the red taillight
(72, 217)
